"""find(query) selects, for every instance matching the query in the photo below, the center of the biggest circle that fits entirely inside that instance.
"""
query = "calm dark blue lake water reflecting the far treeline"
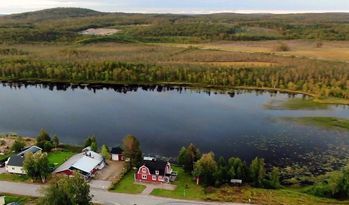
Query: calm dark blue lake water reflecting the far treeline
(164, 119)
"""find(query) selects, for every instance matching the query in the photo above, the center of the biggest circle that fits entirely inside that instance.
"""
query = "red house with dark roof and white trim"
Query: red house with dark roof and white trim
(154, 171)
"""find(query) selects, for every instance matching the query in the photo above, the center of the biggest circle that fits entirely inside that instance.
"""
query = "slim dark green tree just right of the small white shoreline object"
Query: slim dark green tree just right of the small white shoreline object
(257, 172)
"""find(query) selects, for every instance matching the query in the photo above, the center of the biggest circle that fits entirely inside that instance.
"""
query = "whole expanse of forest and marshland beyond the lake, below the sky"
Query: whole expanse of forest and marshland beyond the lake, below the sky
(160, 49)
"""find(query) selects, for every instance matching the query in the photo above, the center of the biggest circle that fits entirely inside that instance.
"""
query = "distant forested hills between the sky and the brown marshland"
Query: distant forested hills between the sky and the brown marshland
(64, 24)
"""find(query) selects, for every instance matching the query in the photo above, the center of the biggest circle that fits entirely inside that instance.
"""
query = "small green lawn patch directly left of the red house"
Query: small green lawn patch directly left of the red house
(126, 185)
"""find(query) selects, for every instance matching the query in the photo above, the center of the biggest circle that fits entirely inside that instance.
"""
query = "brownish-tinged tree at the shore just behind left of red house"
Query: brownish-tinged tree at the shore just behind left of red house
(132, 150)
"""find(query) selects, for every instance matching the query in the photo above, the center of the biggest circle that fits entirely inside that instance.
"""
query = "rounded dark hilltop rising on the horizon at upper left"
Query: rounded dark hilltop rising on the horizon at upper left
(55, 13)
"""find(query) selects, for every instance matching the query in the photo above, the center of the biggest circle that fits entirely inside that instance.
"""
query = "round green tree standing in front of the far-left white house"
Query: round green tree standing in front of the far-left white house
(36, 166)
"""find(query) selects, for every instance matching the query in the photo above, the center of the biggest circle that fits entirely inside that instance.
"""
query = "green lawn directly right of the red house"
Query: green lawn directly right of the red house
(184, 179)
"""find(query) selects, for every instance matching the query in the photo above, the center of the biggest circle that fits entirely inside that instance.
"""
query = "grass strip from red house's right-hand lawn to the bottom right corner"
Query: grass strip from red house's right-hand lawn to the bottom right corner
(243, 194)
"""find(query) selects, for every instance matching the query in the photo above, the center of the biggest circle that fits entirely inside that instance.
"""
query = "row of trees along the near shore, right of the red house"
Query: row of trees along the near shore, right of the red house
(211, 172)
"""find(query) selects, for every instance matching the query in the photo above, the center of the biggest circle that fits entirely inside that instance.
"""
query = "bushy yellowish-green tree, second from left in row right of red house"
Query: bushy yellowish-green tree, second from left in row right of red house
(205, 169)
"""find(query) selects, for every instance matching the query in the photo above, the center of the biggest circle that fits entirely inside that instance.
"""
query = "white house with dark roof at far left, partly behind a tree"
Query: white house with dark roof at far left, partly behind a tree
(14, 164)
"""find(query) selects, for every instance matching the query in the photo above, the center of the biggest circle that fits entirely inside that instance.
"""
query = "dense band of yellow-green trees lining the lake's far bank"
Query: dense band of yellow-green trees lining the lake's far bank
(317, 79)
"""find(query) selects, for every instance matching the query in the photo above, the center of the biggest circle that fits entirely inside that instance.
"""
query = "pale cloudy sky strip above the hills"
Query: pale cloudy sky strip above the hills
(181, 6)
